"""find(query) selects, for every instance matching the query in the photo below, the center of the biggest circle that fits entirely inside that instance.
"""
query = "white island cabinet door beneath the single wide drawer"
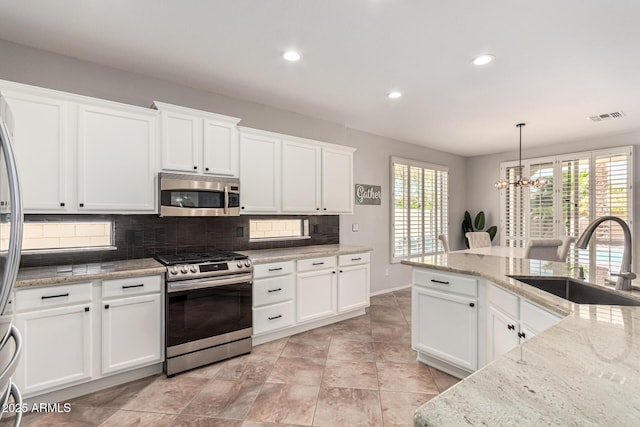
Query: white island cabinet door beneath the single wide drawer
(446, 327)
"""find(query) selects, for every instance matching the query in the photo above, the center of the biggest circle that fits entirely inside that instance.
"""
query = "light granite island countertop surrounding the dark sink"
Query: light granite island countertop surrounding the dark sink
(585, 370)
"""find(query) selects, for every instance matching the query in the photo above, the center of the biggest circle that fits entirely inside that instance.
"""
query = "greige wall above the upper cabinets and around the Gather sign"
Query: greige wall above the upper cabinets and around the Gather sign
(32, 66)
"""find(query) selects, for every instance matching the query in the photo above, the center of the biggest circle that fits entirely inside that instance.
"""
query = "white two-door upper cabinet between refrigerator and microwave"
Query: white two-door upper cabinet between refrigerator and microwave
(78, 154)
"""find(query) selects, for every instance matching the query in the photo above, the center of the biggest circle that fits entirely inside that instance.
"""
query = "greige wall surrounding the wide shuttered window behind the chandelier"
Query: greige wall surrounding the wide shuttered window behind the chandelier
(483, 171)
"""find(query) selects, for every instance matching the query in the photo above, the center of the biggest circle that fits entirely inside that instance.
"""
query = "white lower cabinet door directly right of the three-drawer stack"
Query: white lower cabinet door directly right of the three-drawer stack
(315, 295)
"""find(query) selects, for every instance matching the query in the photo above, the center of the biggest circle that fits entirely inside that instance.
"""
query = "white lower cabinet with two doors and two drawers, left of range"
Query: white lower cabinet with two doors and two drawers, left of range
(82, 332)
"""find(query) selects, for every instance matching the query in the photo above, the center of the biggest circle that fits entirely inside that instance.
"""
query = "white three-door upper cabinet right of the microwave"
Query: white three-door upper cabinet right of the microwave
(306, 177)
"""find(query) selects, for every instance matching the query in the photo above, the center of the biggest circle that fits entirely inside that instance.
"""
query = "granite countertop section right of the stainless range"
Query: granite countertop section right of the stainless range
(265, 256)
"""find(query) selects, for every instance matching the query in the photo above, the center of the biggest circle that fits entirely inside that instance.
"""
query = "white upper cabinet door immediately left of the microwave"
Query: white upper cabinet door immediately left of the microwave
(115, 159)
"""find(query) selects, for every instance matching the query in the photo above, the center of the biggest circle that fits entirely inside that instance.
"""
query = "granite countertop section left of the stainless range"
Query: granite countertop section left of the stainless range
(55, 275)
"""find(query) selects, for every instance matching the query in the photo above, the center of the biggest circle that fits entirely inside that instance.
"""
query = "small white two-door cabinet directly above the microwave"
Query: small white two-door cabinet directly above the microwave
(198, 142)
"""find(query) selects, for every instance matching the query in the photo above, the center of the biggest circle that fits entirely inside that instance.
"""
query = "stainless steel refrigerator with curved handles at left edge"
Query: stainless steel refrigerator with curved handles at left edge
(11, 219)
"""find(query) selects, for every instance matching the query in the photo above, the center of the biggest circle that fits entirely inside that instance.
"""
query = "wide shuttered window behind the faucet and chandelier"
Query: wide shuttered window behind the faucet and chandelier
(580, 188)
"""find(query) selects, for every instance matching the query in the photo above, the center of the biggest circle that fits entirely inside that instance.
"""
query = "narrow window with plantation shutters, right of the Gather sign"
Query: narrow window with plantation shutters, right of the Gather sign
(419, 208)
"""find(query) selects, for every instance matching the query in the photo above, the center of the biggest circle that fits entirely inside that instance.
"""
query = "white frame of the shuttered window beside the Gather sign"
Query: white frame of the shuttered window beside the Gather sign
(442, 222)
